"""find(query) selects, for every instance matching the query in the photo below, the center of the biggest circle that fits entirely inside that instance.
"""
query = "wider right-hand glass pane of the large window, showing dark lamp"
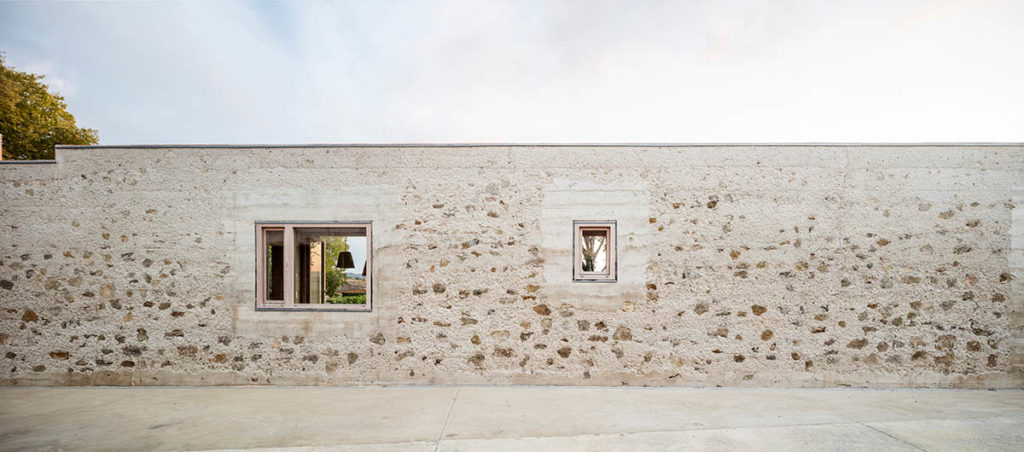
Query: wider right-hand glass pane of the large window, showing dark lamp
(330, 266)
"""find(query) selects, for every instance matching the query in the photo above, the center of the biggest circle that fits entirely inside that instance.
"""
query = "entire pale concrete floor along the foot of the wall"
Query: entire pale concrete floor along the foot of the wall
(472, 419)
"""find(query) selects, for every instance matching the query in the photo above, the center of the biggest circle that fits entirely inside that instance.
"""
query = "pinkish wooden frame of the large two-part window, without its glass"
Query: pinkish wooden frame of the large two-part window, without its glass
(289, 263)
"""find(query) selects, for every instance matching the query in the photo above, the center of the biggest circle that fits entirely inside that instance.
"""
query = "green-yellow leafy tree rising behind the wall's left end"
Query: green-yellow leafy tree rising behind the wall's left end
(33, 120)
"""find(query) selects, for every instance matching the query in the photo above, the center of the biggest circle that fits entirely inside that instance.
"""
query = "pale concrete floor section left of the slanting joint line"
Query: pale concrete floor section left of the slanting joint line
(219, 418)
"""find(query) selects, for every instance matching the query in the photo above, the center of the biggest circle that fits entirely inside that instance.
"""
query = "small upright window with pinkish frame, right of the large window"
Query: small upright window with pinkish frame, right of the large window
(594, 252)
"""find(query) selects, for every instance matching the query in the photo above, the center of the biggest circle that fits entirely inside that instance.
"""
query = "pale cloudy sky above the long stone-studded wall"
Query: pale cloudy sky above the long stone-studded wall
(492, 71)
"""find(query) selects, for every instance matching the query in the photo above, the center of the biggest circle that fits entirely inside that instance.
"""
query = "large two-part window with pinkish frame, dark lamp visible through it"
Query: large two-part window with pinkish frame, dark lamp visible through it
(314, 267)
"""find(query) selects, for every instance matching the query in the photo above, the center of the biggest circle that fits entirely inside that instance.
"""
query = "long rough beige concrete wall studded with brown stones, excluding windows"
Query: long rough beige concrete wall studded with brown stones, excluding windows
(770, 266)
